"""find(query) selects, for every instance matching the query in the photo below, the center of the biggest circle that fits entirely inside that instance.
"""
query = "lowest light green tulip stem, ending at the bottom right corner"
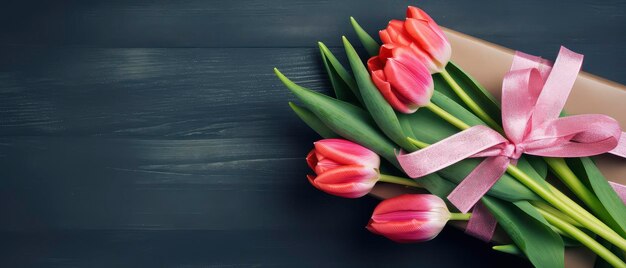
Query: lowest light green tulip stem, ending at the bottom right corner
(584, 239)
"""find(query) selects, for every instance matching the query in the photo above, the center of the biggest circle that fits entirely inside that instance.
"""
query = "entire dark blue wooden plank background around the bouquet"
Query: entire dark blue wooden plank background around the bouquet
(154, 133)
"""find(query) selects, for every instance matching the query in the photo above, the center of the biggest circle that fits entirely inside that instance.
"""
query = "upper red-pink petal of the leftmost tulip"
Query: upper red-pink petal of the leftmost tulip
(346, 152)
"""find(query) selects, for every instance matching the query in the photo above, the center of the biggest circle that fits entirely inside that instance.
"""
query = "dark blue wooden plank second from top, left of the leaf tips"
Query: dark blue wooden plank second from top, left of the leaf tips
(188, 93)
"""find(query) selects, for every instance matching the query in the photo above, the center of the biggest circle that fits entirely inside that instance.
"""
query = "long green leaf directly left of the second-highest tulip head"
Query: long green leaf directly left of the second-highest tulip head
(379, 109)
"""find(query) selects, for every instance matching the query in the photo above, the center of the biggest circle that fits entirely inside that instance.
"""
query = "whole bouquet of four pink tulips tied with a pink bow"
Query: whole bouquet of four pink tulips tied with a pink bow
(411, 117)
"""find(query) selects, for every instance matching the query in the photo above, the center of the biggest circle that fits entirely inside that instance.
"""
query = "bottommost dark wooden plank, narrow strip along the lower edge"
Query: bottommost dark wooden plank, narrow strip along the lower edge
(243, 248)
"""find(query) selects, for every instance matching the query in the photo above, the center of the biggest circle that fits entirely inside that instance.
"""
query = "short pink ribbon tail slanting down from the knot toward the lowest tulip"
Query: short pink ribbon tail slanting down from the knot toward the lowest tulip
(478, 183)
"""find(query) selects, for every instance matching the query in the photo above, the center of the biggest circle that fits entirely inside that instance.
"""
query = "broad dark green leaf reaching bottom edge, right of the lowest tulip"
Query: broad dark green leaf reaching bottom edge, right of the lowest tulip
(530, 232)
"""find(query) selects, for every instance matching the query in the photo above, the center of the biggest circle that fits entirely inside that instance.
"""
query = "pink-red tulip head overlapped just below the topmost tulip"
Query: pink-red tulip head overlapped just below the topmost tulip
(401, 78)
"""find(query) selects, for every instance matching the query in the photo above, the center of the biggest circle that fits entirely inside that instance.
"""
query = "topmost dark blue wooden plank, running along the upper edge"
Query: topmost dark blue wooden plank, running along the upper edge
(594, 28)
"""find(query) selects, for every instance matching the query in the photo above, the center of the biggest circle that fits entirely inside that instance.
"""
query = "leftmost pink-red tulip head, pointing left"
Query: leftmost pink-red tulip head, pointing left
(343, 168)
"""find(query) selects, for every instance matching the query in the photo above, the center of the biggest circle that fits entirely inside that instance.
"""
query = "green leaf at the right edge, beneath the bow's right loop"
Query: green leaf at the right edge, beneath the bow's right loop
(589, 174)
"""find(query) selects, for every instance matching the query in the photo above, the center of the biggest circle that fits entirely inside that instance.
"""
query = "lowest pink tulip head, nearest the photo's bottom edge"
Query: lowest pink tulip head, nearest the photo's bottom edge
(410, 218)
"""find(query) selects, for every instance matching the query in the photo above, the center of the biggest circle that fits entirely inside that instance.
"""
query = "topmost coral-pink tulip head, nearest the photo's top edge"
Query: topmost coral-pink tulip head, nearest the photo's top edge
(422, 34)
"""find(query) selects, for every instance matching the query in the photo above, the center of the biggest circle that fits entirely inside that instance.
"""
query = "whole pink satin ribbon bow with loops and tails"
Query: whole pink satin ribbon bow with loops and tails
(533, 95)
